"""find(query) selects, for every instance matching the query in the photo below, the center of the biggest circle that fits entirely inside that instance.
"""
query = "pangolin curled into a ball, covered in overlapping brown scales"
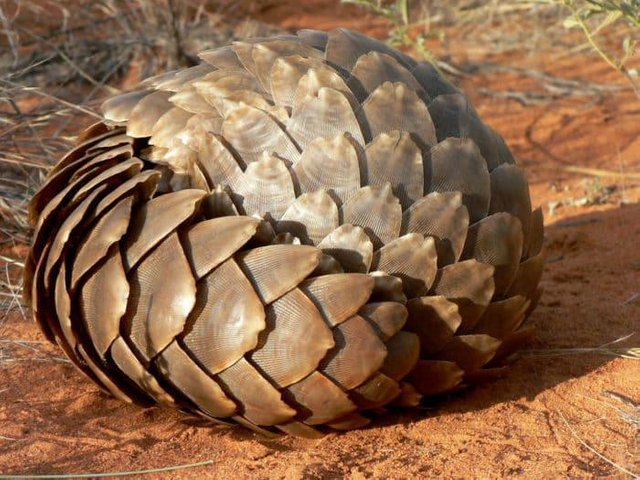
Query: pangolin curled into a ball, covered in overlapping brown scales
(292, 234)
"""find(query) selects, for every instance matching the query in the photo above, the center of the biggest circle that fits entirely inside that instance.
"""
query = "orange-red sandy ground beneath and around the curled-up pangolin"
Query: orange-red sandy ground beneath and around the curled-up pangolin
(566, 408)
